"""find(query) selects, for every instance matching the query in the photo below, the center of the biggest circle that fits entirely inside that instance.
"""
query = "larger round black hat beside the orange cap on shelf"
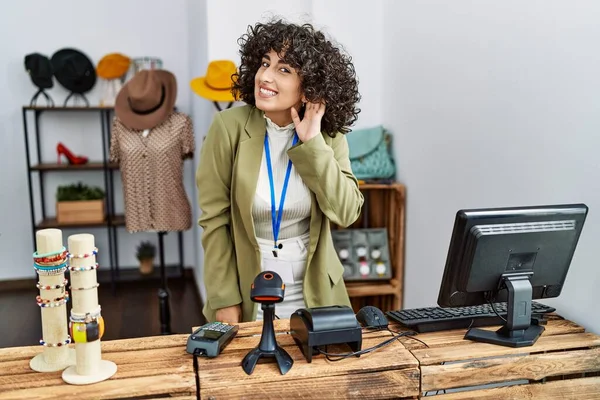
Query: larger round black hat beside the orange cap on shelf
(74, 70)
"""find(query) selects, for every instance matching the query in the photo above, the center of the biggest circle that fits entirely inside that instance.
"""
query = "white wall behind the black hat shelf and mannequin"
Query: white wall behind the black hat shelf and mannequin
(158, 28)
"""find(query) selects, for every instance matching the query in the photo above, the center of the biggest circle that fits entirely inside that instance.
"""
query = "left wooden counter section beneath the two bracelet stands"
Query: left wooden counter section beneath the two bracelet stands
(152, 366)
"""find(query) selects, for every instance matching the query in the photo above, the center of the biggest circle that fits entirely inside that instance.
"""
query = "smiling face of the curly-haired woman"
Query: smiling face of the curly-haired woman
(276, 87)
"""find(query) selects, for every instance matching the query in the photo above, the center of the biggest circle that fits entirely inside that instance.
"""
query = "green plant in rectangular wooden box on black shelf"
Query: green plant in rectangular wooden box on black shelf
(79, 204)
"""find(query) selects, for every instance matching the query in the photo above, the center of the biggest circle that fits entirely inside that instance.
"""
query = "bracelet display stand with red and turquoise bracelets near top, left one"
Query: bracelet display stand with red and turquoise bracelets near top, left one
(50, 263)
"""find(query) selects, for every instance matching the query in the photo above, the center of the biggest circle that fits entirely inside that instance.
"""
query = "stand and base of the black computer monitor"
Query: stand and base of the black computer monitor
(517, 331)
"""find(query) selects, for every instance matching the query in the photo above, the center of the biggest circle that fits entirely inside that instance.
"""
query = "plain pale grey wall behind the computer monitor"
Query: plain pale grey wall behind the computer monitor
(494, 104)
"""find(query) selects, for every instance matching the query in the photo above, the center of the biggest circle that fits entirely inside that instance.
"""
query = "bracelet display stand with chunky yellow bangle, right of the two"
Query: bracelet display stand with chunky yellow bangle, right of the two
(86, 323)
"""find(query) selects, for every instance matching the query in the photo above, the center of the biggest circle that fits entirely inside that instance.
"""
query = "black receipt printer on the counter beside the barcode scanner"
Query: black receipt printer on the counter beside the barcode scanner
(320, 326)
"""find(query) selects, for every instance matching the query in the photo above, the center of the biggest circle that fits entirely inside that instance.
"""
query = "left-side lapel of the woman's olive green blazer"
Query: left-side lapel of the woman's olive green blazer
(247, 168)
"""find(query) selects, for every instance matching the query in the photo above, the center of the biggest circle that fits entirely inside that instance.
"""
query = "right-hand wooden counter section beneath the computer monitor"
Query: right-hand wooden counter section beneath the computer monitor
(564, 350)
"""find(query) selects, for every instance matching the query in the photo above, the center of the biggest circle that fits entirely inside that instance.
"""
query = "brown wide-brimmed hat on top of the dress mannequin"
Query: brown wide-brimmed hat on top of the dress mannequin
(147, 99)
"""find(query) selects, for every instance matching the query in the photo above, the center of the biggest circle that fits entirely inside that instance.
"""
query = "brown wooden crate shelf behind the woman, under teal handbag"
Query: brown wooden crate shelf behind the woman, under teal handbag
(384, 207)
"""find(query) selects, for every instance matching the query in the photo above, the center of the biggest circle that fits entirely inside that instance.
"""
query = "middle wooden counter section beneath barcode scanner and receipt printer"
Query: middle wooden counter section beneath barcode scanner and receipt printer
(390, 372)
